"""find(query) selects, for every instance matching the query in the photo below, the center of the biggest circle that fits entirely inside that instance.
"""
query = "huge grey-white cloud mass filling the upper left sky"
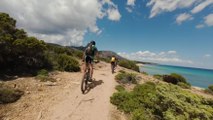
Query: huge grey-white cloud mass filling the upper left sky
(60, 21)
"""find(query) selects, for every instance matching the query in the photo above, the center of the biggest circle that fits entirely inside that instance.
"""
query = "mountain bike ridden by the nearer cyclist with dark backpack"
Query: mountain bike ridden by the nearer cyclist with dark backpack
(85, 79)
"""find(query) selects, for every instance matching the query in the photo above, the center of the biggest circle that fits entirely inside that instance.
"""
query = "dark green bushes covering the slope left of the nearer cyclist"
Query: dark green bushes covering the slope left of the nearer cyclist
(21, 54)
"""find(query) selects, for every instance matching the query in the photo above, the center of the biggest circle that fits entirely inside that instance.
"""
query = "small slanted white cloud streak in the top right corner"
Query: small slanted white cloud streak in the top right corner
(201, 6)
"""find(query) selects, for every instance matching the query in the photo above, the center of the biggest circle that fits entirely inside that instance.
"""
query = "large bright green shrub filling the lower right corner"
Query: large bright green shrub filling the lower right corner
(162, 102)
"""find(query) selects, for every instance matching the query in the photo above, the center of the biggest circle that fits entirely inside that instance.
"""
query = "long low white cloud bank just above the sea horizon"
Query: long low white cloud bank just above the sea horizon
(169, 57)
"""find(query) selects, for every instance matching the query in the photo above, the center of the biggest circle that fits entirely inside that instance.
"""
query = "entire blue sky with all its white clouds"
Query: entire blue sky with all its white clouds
(172, 32)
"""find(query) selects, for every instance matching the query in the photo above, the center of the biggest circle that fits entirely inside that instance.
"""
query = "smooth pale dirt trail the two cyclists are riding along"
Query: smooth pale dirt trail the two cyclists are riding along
(94, 105)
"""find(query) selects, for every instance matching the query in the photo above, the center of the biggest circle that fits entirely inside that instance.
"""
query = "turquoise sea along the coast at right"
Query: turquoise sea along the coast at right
(196, 76)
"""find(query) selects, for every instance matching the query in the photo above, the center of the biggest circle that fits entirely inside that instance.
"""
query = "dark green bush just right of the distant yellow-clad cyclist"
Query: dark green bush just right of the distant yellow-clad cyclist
(129, 65)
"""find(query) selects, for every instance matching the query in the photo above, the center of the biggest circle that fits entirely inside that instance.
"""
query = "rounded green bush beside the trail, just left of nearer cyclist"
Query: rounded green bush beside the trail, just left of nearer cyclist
(67, 63)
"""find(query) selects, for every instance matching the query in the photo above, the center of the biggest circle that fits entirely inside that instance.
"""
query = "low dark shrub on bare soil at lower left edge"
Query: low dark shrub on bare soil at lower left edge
(9, 95)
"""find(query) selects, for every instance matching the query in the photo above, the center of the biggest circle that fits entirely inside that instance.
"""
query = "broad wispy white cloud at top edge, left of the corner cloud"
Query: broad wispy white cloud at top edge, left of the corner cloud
(160, 6)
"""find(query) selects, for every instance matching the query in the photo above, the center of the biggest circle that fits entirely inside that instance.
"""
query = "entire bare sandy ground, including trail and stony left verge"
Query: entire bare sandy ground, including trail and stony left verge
(63, 100)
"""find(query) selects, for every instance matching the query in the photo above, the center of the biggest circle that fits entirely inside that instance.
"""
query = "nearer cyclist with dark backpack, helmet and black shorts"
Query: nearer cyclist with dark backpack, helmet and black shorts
(89, 54)
